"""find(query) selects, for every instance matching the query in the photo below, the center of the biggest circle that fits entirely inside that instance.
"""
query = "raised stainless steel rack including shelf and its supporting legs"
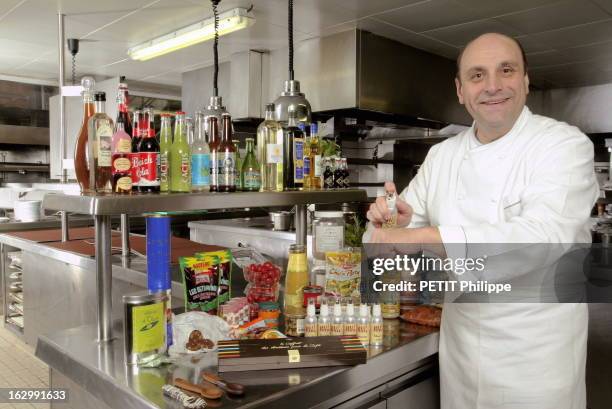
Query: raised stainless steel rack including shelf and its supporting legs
(102, 207)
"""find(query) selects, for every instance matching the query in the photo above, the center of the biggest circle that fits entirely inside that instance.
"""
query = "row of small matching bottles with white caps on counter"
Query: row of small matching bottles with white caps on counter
(368, 329)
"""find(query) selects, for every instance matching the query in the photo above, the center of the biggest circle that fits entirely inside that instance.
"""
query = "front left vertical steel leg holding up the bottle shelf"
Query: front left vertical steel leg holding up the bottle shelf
(104, 276)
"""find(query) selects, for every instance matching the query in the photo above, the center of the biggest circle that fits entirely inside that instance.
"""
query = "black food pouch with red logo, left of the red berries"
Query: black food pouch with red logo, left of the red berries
(200, 280)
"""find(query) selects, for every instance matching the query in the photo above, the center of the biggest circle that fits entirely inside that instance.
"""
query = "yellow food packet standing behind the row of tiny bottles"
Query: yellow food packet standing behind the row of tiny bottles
(343, 272)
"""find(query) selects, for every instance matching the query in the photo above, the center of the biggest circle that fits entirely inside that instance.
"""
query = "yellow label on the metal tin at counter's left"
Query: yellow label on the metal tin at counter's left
(148, 328)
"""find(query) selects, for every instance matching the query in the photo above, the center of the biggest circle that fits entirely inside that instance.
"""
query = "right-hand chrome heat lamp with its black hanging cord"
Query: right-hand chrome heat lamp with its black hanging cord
(291, 99)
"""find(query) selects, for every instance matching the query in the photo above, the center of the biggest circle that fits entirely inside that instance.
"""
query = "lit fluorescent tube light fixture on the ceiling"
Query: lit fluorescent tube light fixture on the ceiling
(229, 22)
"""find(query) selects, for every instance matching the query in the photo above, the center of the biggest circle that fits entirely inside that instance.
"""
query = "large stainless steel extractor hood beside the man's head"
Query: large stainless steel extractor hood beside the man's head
(359, 70)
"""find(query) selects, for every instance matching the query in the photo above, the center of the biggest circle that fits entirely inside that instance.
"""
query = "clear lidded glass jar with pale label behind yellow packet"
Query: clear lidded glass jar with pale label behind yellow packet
(328, 233)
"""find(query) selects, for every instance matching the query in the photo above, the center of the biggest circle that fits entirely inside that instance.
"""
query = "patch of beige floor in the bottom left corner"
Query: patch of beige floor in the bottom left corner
(19, 368)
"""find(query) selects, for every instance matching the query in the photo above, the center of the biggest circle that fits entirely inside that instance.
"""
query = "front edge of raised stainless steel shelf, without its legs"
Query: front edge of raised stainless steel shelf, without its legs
(100, 205)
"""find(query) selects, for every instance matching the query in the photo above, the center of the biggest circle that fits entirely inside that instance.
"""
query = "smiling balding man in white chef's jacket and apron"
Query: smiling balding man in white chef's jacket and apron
(513, 177)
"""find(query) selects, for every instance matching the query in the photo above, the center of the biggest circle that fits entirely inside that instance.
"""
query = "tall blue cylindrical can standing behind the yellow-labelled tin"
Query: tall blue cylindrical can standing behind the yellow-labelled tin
(158, 253)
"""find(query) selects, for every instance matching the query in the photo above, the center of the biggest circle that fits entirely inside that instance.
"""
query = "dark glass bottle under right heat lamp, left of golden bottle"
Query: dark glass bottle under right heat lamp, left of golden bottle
(293, 149)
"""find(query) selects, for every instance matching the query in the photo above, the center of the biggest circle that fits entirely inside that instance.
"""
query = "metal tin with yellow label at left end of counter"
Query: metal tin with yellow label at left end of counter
(144, 326)
